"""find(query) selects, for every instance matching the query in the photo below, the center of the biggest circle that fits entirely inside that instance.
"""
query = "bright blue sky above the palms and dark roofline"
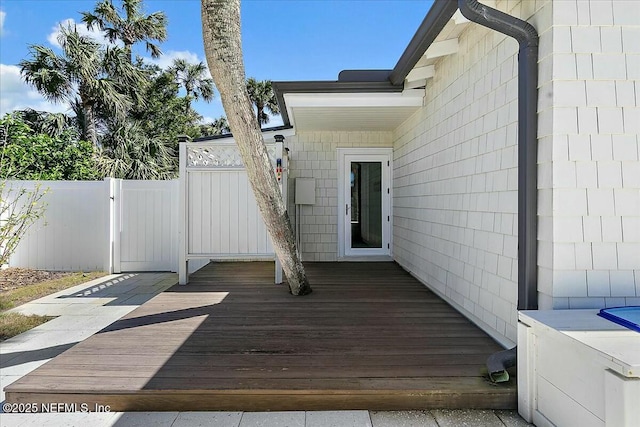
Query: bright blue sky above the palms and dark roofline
(282, 40)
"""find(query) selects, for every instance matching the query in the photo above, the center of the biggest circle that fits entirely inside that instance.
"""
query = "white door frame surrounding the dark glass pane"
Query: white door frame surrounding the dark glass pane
(387, 226)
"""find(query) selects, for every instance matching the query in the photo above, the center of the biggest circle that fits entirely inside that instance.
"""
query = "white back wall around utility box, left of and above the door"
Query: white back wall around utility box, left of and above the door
(314, 155)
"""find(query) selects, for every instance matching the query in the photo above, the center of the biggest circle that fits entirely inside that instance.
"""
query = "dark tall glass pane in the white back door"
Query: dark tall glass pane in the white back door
(366, 204)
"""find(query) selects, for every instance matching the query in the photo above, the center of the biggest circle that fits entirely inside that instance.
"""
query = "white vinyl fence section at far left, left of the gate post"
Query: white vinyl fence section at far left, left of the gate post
(73, 234)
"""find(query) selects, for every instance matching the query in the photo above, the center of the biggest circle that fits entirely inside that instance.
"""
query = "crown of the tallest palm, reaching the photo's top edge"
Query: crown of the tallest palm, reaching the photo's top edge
(131, 28)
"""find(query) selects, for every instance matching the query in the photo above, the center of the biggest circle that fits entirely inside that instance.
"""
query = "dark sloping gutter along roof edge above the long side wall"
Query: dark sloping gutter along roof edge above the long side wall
(440, 13)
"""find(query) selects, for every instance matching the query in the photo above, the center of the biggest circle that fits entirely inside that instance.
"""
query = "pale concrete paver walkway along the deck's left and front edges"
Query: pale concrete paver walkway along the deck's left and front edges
(85, 309)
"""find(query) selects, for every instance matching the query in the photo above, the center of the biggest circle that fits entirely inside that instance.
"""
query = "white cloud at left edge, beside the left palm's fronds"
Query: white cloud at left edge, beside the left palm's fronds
(17, 95)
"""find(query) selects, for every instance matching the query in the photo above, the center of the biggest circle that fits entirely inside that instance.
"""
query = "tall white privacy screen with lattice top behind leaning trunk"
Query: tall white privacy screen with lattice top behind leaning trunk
(219, 216)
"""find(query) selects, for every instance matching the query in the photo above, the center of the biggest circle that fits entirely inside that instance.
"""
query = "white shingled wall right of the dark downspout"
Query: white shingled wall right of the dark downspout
(589, 170)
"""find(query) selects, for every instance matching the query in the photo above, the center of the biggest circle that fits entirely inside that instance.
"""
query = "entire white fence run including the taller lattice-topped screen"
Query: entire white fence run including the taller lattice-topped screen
(126, 225)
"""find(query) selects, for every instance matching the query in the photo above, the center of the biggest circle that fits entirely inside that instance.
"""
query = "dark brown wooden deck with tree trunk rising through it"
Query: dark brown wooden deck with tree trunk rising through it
(369, 337)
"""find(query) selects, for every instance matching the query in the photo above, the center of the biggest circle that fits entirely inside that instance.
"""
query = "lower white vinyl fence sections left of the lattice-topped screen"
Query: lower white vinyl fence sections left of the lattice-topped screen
(113, 225)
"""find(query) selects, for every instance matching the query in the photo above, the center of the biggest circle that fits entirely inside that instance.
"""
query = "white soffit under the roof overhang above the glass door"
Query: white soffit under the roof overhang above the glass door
(351, 111)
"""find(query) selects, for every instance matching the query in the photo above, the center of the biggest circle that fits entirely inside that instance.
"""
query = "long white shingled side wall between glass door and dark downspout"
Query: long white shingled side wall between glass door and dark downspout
(455, 177)
